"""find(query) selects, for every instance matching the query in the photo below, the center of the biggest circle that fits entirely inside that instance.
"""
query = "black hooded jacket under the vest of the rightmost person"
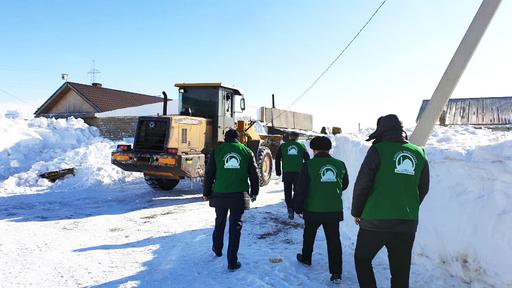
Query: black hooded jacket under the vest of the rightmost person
(364, 185)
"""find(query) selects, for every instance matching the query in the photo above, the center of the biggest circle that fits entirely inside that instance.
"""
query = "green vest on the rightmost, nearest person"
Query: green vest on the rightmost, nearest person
(395, 192)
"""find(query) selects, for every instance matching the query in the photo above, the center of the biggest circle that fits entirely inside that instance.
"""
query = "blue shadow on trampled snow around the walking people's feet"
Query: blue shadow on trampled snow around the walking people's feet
(185, 259)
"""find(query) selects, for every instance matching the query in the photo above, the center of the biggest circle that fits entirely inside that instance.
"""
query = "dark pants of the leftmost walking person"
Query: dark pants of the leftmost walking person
(235, 228)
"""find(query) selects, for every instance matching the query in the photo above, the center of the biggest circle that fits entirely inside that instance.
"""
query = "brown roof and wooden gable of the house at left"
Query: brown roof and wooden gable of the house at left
(83, 101)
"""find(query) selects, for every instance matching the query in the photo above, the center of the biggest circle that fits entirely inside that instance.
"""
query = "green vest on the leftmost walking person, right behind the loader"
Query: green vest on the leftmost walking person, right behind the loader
(231, 175)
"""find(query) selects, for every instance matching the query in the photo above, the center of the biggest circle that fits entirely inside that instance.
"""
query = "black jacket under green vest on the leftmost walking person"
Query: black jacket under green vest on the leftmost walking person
(233, 199)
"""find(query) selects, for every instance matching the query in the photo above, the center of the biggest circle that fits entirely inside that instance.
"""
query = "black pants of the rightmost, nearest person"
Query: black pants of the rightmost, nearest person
(399, 246)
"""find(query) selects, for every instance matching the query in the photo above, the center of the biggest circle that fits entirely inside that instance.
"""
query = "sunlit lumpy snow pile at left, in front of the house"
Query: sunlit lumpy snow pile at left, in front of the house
(31, 147)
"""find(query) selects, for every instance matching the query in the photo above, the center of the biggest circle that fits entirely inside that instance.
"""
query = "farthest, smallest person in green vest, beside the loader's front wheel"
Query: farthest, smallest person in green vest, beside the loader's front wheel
(292, 154)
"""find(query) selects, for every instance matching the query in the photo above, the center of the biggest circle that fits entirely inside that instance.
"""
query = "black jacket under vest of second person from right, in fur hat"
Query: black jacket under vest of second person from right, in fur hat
(301, 194)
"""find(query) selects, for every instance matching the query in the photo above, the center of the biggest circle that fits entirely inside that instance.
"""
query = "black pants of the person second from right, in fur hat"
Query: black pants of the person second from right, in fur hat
(332, 235)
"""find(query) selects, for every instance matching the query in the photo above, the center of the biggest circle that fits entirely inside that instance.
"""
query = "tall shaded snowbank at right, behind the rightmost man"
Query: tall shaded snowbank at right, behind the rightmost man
(466, 219)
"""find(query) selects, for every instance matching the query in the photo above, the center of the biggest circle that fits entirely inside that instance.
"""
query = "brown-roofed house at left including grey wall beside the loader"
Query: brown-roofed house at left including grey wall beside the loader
(85, 101)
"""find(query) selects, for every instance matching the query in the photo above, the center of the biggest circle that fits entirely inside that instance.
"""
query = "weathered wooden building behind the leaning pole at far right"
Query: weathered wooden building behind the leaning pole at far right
(491, 111)
